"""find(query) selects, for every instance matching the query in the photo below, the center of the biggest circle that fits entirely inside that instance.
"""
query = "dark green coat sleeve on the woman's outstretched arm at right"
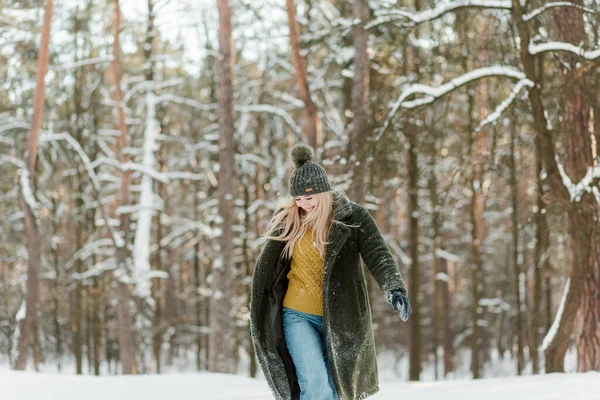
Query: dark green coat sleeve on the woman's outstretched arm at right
(377, 256)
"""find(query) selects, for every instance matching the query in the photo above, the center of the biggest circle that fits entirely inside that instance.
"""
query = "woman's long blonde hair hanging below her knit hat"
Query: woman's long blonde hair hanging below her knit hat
(291, 223)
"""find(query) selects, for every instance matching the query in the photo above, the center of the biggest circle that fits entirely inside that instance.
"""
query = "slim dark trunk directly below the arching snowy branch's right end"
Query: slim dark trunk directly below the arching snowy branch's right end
(515, 249)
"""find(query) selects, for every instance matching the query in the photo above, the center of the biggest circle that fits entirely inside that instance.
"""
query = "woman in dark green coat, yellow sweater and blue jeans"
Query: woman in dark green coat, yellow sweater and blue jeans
(310, 314)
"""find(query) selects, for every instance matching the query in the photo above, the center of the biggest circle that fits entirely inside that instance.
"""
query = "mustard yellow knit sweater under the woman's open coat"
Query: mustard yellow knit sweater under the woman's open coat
(304, 292)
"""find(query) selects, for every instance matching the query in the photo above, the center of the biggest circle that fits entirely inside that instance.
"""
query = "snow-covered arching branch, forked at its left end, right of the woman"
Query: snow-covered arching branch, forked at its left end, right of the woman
(433, 93)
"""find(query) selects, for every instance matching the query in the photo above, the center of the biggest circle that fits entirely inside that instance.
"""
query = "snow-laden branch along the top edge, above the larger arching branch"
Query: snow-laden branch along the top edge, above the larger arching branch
(415, 18)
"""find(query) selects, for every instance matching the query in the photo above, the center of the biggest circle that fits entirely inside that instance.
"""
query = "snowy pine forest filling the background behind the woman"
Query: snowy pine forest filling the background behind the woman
(144, 147)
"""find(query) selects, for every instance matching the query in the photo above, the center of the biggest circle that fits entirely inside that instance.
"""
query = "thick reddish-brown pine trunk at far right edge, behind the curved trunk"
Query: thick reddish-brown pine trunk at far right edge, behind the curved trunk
(579, 157)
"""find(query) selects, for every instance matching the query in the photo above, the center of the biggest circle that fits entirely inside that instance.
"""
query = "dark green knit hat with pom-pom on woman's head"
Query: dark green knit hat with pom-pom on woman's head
(308, 177)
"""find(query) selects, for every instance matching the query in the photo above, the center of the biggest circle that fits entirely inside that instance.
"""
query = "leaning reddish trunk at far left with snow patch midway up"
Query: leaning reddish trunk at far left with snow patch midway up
(27, 201)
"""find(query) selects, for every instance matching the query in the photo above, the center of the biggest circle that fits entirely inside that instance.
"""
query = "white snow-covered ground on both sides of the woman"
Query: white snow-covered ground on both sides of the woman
(203, 386)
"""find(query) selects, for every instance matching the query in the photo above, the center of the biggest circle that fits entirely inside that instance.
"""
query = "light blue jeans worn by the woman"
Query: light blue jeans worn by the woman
(305, 339)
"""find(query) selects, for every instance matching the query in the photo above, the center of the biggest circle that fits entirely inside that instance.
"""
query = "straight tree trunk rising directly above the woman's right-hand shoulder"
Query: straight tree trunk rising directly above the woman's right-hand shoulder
(360, 104)
